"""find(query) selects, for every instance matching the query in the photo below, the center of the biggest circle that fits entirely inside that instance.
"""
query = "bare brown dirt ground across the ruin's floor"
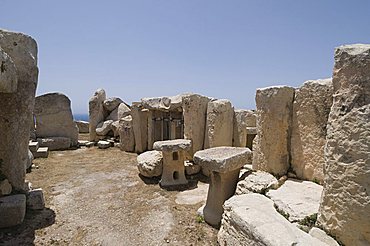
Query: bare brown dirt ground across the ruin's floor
(96, 197)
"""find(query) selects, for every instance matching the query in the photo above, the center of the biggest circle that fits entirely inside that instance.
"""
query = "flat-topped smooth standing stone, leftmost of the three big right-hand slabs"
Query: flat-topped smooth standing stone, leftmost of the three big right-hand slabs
(274, 111)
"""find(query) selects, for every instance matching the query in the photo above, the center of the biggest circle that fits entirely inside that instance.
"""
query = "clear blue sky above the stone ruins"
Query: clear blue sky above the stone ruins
(222, 49)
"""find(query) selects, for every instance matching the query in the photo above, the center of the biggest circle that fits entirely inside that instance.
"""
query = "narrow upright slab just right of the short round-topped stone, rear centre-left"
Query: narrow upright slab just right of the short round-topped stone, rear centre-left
(140, 127)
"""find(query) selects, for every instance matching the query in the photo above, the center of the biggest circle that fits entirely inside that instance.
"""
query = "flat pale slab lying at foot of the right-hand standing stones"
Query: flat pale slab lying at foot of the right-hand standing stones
(297, 198)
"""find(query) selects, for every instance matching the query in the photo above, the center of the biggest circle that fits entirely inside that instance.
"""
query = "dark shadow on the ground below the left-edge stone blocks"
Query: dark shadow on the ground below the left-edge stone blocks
(24, 234)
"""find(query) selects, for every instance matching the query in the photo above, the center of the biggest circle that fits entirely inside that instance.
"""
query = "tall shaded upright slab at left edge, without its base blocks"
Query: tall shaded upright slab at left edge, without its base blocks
(17, 107)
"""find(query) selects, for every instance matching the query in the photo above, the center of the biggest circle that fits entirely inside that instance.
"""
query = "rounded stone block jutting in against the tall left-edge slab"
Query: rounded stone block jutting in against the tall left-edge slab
(8, 74)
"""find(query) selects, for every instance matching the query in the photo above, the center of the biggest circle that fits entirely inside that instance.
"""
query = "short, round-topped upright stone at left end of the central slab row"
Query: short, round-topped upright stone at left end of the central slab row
(126, 134)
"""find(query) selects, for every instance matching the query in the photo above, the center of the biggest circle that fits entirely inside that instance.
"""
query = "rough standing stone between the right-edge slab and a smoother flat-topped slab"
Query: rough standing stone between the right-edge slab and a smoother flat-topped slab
(311, 109)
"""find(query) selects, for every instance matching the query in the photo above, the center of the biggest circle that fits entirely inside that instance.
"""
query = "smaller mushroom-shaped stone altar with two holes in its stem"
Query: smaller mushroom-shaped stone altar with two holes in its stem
(173, 152)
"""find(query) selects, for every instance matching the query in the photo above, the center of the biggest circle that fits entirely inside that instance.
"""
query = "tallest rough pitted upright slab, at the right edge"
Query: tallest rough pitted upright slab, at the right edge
(345, 205)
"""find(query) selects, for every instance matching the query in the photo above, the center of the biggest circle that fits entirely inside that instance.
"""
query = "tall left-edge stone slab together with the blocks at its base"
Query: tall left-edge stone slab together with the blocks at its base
(18, 81)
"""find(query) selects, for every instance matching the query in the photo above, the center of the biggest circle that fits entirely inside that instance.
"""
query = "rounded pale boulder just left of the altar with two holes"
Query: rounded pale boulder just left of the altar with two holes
(150, 163)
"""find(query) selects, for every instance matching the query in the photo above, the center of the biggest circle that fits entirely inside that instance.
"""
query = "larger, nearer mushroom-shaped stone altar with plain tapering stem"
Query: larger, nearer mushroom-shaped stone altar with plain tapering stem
(224, 164)
